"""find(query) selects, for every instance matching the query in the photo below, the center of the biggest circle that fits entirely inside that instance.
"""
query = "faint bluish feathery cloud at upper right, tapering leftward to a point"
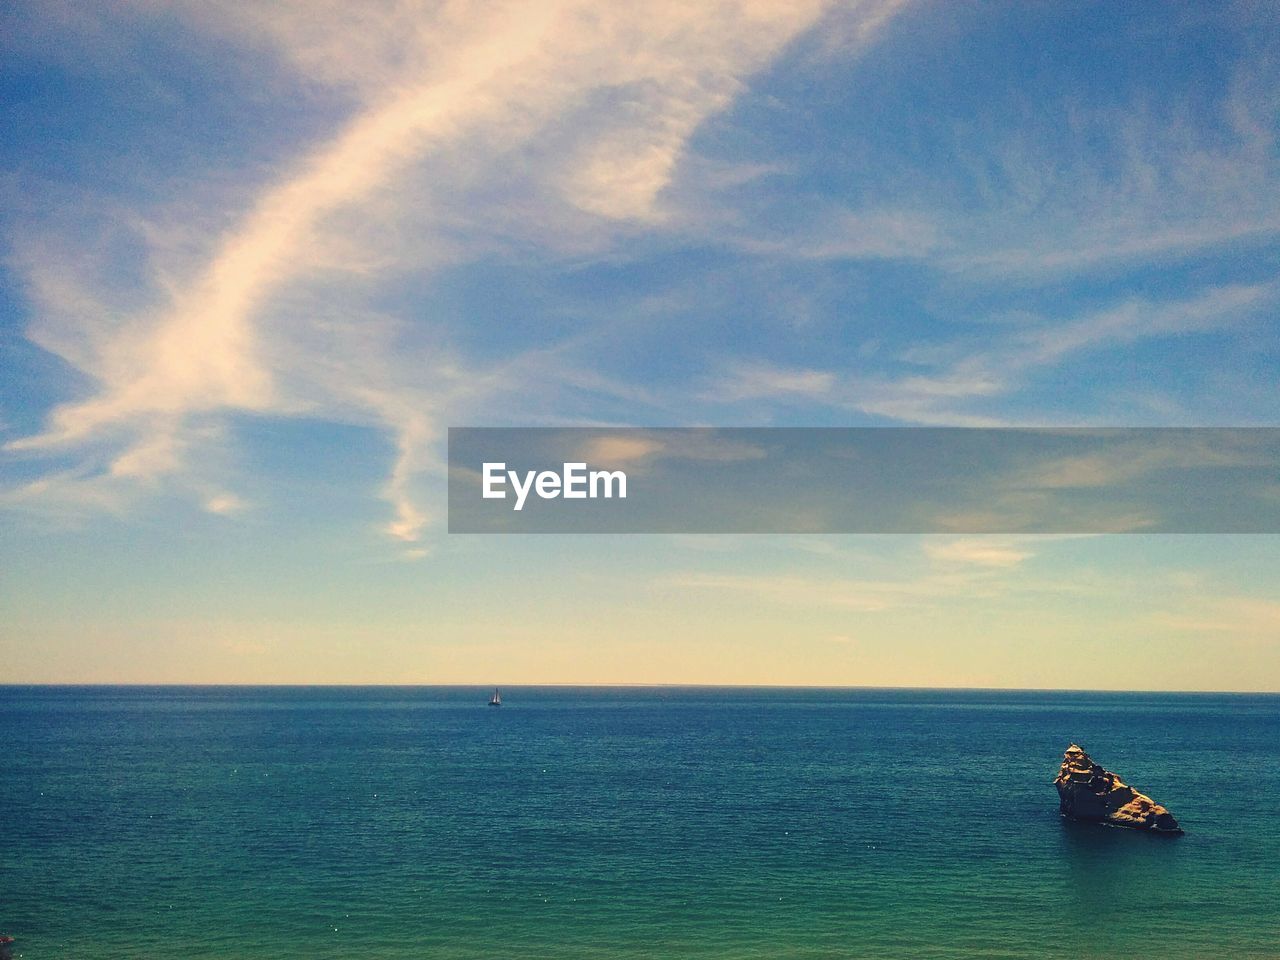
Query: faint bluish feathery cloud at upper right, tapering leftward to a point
(1077, 186)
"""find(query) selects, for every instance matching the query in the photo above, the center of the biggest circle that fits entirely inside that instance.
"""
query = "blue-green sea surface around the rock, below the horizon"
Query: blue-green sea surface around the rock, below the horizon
(417, 822)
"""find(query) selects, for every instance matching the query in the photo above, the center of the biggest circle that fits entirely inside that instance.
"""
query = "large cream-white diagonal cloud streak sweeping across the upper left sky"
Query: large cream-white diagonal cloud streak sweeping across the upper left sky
(595, 102)
